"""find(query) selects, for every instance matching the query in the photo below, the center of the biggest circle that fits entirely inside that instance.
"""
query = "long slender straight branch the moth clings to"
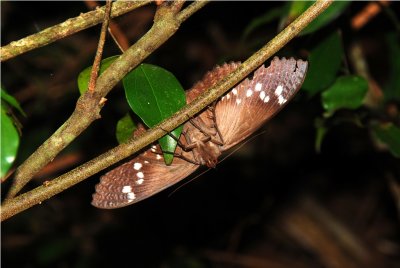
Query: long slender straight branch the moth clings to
(41, 193)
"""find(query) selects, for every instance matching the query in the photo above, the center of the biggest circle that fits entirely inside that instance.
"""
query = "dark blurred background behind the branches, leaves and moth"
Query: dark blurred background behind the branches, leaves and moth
(275, 202)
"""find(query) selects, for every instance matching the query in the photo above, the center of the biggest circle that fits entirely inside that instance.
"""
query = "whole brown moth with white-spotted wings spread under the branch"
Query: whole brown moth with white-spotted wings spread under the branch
(233, 118)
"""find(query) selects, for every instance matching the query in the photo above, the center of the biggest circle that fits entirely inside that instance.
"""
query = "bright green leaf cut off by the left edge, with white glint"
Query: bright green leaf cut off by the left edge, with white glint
(9, 142)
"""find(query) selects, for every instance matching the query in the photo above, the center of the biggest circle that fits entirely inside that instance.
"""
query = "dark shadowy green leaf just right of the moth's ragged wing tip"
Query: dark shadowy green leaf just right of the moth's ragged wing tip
(324, 64)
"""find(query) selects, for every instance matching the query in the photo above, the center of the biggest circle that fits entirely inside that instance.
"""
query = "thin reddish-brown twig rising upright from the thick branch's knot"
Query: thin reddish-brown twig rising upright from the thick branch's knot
(97, 60)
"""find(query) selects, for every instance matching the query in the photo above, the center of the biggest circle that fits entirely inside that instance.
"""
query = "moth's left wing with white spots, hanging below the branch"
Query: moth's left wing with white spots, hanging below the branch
(140, 178)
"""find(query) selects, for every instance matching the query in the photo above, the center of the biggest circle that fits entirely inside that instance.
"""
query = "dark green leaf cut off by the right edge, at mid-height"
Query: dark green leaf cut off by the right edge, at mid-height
(389, 134)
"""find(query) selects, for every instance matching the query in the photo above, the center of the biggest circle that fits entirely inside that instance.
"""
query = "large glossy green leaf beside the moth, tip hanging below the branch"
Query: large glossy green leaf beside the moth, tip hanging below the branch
(154, 94)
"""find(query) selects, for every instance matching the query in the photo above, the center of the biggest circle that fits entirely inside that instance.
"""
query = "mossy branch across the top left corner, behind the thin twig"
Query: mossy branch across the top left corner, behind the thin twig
(66, 28)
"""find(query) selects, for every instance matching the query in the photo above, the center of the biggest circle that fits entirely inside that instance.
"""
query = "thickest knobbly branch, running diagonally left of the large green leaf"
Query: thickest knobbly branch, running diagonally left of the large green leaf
(89, 105)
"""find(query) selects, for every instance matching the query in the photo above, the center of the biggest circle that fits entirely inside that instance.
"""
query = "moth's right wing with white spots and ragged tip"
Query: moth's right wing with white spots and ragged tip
(251, 103)
